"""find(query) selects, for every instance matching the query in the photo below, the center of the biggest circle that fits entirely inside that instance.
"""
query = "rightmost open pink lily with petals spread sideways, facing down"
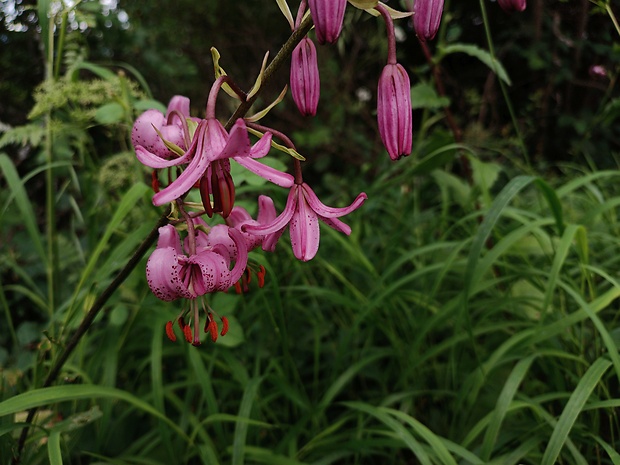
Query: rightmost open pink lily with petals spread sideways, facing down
(301, 214)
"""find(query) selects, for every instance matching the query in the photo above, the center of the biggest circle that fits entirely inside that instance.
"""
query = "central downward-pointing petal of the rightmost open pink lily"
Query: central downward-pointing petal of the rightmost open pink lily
(304, 231)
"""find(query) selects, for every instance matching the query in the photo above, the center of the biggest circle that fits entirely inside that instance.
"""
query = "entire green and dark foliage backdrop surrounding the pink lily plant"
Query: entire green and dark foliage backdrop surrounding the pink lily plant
(468, 319)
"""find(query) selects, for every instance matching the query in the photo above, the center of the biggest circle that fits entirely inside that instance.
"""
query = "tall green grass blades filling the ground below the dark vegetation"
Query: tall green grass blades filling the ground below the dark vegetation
(493, 340)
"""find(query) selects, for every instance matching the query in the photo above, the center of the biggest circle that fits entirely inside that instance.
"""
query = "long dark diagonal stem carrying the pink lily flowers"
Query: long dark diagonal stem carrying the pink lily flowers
(282, 56)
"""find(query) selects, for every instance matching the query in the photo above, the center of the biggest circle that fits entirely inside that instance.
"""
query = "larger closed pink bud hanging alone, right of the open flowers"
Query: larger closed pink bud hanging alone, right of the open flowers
(394, 110)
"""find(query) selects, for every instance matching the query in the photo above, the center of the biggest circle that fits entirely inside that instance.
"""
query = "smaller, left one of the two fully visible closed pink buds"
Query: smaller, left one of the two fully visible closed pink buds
(305, 82)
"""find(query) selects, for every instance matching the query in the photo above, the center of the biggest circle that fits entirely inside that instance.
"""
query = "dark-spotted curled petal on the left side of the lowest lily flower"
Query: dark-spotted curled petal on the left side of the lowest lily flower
(162, 273)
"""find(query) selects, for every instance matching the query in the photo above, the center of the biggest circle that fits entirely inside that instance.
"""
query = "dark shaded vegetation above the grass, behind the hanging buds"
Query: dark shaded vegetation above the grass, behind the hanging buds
(549, 51)
